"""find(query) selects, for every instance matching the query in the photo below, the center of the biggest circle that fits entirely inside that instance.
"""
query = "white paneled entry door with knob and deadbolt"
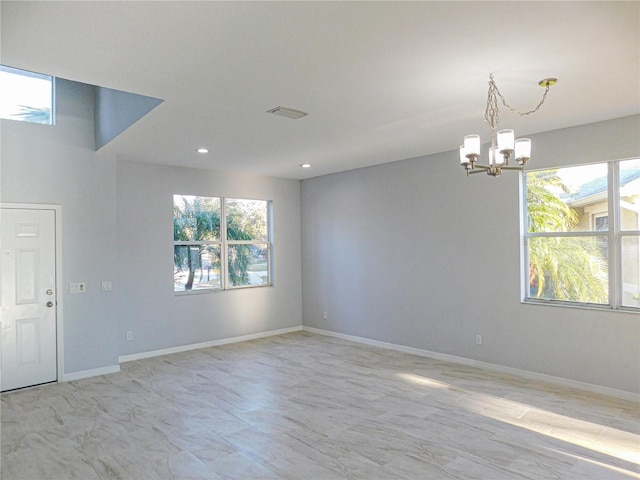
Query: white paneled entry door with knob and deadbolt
(28, 353)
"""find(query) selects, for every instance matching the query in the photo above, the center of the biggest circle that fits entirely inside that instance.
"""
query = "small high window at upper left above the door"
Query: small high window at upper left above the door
(26, 96)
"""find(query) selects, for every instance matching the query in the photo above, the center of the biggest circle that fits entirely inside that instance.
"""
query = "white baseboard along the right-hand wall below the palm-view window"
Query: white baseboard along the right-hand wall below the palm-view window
(612, 392)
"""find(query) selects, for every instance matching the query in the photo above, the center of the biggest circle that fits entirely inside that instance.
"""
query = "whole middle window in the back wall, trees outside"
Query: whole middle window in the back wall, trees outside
(208, 229)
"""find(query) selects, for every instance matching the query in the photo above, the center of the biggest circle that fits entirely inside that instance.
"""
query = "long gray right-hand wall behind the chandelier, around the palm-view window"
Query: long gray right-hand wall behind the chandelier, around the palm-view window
(416, 254)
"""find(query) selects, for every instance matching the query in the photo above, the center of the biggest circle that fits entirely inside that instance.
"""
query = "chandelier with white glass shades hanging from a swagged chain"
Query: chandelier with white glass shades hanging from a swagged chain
(504, 146)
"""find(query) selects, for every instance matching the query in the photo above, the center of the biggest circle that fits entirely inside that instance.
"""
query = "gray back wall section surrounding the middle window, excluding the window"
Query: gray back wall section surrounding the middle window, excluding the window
(147, 305)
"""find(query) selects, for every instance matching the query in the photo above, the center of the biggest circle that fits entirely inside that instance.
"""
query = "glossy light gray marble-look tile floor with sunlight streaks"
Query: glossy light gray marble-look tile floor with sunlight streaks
(306, 406)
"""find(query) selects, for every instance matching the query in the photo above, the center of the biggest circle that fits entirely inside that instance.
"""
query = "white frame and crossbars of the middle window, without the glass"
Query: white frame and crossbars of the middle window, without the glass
(223, 244)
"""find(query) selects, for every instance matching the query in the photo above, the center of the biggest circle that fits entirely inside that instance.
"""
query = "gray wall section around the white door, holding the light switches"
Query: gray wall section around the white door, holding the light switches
(58, 165)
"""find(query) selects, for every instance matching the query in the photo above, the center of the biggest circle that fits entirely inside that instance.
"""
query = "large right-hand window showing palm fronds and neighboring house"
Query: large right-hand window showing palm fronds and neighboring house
(582, 234)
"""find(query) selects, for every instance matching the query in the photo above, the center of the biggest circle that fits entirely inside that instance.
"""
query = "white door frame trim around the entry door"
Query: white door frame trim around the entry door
(57, 209)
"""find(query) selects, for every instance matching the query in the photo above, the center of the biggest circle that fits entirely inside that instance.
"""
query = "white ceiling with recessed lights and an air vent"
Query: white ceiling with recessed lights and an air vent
(381, 81)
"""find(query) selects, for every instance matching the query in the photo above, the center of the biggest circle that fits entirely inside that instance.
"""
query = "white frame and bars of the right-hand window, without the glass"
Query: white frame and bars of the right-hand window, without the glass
(614, 237)
